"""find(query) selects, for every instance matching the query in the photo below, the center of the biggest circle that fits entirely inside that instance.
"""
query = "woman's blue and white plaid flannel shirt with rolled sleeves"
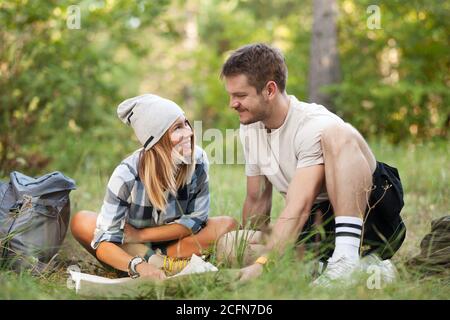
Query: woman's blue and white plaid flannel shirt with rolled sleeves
(126, 201)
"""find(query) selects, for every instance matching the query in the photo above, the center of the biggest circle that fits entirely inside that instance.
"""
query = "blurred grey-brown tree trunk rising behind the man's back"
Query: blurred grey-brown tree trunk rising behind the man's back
(324, 58)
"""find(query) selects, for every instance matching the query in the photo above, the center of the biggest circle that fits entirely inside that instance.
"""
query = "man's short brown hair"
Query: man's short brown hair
(260, 63)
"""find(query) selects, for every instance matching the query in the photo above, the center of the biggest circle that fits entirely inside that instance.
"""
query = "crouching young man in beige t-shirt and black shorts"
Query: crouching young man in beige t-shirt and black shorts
(320, 164)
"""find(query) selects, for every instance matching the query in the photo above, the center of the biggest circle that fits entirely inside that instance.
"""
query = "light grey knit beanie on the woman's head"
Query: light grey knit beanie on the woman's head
(150, 116)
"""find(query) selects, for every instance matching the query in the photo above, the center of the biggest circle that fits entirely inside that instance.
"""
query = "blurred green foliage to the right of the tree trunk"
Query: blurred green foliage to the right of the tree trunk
(395, 79)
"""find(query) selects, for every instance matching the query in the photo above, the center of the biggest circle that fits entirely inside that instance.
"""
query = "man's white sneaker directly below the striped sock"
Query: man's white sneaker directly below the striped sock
(338, 271)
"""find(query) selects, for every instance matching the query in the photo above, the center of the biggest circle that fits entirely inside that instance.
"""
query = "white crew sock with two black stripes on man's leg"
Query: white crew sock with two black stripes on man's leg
(348, 237)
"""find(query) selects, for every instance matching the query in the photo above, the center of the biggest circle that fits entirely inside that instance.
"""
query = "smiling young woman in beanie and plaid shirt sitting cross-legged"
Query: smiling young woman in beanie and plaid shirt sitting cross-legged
(157, 200)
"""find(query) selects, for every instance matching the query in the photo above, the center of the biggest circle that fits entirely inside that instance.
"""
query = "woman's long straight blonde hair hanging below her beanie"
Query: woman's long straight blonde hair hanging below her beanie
(159, 172)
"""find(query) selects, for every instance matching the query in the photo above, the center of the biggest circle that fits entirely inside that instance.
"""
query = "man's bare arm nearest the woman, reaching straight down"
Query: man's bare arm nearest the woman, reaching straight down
(258, 202)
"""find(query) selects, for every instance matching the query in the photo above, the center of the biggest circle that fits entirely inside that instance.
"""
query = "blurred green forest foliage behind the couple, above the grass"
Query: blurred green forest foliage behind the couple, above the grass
(59, 87)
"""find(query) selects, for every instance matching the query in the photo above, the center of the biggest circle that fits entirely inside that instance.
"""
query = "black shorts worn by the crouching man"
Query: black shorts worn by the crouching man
(384, 230)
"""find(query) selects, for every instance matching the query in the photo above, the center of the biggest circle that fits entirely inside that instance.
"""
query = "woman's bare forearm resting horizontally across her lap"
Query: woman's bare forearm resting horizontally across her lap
(167, 232)
